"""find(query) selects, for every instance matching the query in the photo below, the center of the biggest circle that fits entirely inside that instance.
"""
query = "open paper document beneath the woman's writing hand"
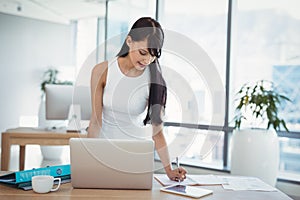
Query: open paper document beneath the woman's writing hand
(209, 179)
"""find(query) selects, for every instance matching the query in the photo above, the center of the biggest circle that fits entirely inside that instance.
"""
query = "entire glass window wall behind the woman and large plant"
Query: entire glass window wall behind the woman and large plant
(265, 45)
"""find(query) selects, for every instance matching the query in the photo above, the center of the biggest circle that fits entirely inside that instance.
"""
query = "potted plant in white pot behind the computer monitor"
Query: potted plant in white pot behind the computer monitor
(49, 77)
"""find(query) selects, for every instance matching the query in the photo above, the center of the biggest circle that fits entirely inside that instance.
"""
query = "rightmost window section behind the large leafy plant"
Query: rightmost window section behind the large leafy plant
(266, 45)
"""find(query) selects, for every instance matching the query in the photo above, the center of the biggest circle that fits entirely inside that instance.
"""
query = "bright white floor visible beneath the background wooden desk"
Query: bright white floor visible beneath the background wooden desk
(34, 158)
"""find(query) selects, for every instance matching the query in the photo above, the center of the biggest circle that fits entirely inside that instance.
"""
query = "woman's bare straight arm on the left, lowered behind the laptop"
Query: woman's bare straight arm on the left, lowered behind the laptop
(98, 81)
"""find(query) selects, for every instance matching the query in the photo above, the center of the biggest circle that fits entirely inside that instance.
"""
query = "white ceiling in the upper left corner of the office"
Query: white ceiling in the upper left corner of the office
(59, 11)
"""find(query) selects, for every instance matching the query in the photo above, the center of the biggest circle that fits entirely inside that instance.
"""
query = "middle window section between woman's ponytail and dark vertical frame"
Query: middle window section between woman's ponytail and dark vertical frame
(192, 99)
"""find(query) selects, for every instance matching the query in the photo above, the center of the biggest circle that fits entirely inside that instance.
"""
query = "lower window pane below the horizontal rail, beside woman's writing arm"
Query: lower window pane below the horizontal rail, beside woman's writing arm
(197, 147)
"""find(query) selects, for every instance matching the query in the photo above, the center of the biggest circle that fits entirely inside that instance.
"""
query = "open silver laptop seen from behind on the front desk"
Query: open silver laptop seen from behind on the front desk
(113, 164)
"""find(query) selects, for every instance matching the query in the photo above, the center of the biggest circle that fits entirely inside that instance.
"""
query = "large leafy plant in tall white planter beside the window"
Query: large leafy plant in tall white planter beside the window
(255, 150)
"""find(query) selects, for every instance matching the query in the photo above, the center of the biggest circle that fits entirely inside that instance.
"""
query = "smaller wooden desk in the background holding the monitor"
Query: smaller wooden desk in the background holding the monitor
(25, 136)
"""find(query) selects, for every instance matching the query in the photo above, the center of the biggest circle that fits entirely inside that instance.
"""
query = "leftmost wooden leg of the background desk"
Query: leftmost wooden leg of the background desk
(5, 152)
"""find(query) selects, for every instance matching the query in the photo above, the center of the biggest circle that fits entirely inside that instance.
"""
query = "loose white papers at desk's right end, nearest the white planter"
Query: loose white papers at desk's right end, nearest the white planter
(246, 183)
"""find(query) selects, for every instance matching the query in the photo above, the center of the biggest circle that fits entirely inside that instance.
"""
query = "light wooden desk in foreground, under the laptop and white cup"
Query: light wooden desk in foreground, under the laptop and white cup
(67, 192)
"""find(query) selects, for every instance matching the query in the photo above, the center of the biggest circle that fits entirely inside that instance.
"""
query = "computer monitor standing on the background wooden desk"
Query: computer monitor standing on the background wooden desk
(60, 98)
